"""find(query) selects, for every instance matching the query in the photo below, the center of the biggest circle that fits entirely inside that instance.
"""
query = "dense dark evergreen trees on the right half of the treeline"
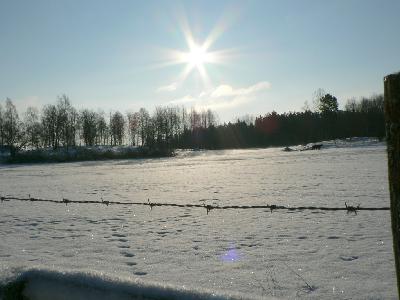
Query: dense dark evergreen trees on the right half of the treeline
(360, 118)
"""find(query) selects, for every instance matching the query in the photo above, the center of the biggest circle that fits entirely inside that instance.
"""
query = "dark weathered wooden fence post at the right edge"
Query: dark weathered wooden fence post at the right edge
(392, 117)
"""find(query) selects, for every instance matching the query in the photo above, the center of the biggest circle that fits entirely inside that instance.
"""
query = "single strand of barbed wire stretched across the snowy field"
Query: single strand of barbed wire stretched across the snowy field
(208, 207)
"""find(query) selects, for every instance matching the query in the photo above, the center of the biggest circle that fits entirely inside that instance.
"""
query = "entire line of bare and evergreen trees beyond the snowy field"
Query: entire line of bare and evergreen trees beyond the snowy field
(61, 126)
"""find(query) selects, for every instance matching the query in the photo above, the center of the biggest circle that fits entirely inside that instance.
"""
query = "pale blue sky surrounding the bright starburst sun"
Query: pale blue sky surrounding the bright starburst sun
(108, 54)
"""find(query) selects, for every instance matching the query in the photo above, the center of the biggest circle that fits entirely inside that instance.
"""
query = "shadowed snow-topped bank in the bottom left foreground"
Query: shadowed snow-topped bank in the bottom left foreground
(53, 285)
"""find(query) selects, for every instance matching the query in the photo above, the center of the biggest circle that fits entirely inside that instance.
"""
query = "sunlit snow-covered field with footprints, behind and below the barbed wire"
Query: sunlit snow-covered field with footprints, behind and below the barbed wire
(253, 253)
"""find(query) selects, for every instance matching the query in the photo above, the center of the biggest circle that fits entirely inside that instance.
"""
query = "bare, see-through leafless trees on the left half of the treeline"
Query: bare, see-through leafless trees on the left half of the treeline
(60, 125)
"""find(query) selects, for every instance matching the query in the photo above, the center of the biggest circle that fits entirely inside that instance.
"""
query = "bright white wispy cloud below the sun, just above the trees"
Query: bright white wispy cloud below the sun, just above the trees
(224, 96)
